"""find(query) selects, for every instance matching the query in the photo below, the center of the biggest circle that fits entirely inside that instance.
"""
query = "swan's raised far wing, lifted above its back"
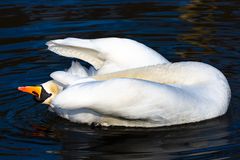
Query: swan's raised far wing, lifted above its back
(107, 54)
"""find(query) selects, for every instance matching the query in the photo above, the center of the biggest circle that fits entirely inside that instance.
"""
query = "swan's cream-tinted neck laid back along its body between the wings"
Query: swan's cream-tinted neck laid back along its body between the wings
(182, 73)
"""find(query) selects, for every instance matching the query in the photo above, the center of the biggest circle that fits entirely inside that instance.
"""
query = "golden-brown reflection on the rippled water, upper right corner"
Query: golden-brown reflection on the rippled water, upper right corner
(211, 23)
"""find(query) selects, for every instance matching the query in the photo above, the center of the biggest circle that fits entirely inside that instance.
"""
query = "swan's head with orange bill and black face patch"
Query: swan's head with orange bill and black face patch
(43, 93)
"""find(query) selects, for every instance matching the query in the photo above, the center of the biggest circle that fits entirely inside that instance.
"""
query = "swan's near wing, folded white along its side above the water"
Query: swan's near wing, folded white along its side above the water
(130, 99)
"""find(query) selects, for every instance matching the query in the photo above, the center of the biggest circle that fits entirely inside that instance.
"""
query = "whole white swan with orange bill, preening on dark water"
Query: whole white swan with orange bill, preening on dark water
(130, 85)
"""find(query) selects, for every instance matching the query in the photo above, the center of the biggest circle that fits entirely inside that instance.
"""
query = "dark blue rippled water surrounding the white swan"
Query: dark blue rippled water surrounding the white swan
(207, 31)
